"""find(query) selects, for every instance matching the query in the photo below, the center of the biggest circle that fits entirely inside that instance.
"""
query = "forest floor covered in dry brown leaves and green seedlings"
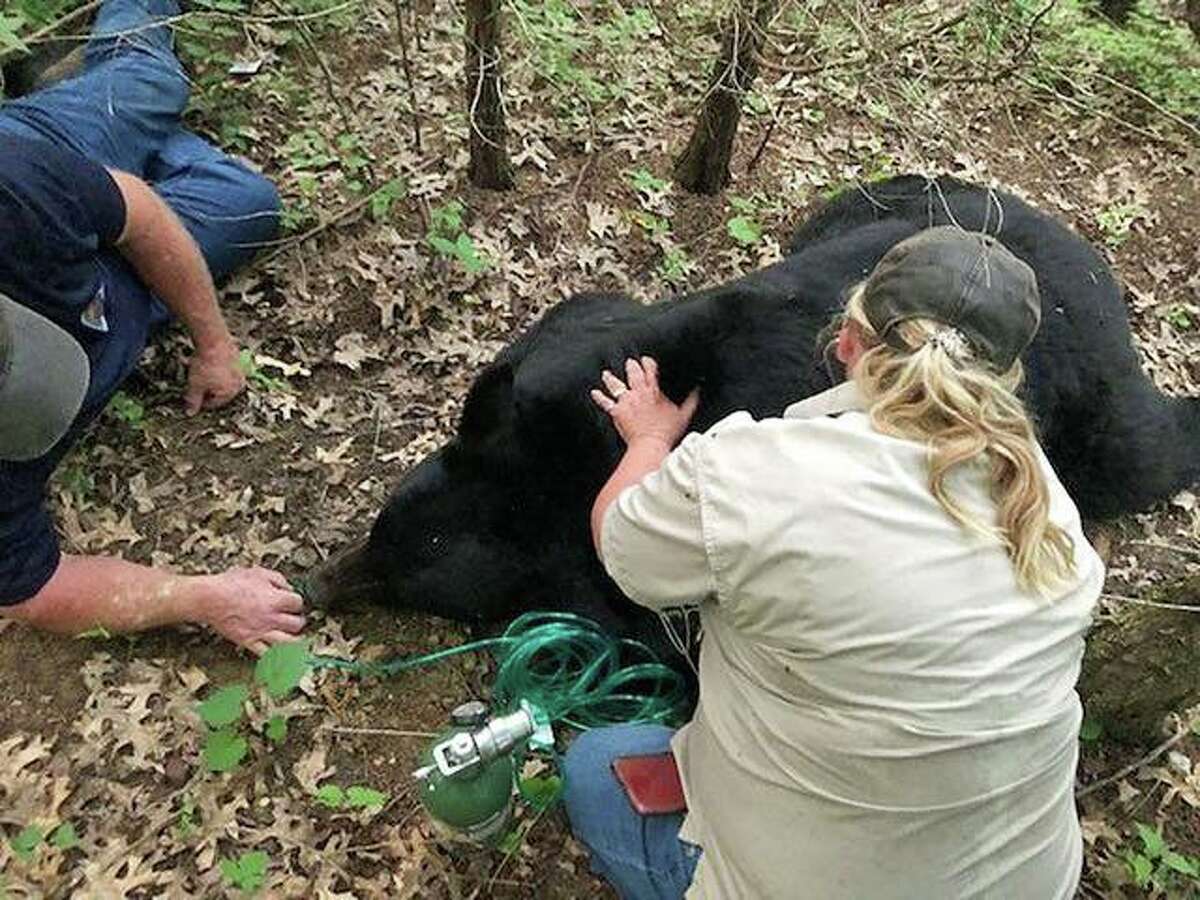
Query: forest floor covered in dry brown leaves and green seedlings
(365, 339)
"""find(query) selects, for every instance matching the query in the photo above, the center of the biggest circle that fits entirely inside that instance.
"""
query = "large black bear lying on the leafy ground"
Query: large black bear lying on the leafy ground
(497, 521)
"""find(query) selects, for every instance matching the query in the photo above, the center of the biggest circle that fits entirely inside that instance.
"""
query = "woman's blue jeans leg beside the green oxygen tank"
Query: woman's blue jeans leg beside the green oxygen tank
(640, 856)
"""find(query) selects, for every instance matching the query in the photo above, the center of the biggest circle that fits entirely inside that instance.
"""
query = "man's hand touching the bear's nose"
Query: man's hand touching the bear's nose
(253, 608)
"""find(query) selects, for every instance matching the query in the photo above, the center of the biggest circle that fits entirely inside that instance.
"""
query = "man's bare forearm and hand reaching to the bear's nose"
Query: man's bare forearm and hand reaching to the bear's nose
(253, 608)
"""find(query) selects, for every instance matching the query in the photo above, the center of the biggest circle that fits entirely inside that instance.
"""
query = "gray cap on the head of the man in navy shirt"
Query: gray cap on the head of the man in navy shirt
(44, 380)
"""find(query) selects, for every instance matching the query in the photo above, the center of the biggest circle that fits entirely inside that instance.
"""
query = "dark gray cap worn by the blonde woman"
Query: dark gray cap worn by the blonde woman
(967, 280)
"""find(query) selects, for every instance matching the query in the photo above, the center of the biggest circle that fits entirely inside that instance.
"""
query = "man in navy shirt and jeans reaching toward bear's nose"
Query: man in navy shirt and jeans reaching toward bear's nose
(115, 220)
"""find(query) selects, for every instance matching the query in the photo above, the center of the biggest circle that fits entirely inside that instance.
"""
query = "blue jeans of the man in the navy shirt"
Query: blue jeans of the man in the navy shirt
(124, 112)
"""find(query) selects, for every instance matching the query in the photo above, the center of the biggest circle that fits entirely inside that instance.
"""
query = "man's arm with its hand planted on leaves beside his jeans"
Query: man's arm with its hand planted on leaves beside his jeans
(169, 261)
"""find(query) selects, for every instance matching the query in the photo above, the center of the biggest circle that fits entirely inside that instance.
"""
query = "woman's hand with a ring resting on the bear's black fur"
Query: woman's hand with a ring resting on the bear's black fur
(639, 409)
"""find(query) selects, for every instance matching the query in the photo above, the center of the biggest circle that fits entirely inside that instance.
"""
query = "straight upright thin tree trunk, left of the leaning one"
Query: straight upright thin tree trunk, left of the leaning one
(490, 165)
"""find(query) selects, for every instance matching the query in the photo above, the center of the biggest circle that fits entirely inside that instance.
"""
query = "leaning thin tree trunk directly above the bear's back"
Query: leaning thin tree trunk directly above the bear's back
(704, 167)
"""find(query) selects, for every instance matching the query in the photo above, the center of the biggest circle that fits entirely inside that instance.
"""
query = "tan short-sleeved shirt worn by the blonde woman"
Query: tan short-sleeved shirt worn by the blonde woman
(883, 712)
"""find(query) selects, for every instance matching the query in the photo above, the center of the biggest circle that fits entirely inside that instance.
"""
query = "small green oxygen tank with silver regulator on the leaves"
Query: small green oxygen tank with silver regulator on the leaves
(467, 776)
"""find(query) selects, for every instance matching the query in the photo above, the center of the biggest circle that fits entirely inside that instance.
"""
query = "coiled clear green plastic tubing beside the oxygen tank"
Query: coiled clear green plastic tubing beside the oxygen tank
(567, 667)
